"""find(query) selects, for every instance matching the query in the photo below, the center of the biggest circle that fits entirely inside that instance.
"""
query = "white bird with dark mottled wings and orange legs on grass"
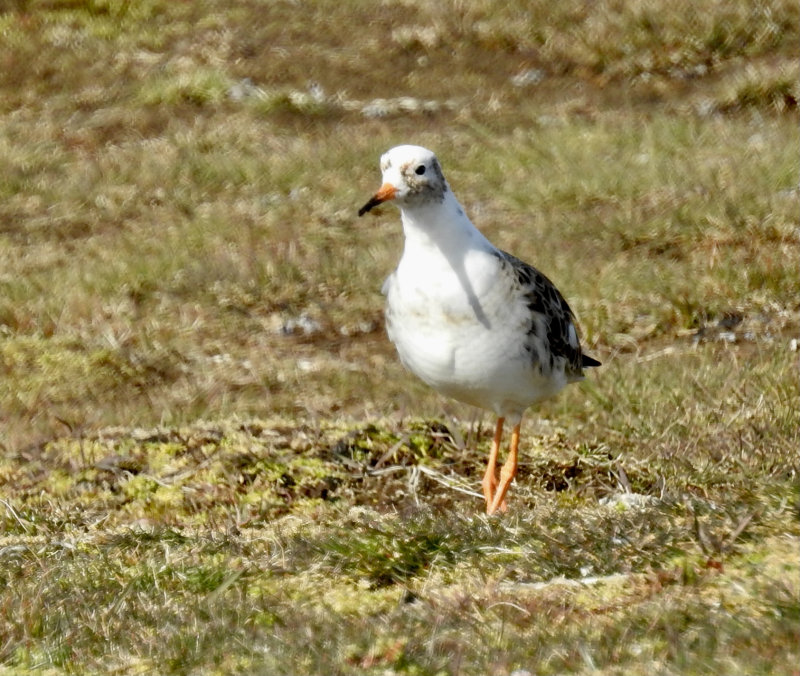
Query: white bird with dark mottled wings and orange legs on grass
(472, 321)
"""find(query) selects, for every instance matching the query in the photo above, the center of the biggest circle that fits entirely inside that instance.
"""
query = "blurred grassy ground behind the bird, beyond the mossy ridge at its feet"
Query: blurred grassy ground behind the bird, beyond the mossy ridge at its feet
(178, 230)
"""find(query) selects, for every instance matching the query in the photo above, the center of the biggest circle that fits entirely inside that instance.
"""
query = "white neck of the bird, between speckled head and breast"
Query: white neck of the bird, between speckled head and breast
(441, 226)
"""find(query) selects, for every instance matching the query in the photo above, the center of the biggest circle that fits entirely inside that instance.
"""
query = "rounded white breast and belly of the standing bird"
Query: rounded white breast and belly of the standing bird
(458, 325)
